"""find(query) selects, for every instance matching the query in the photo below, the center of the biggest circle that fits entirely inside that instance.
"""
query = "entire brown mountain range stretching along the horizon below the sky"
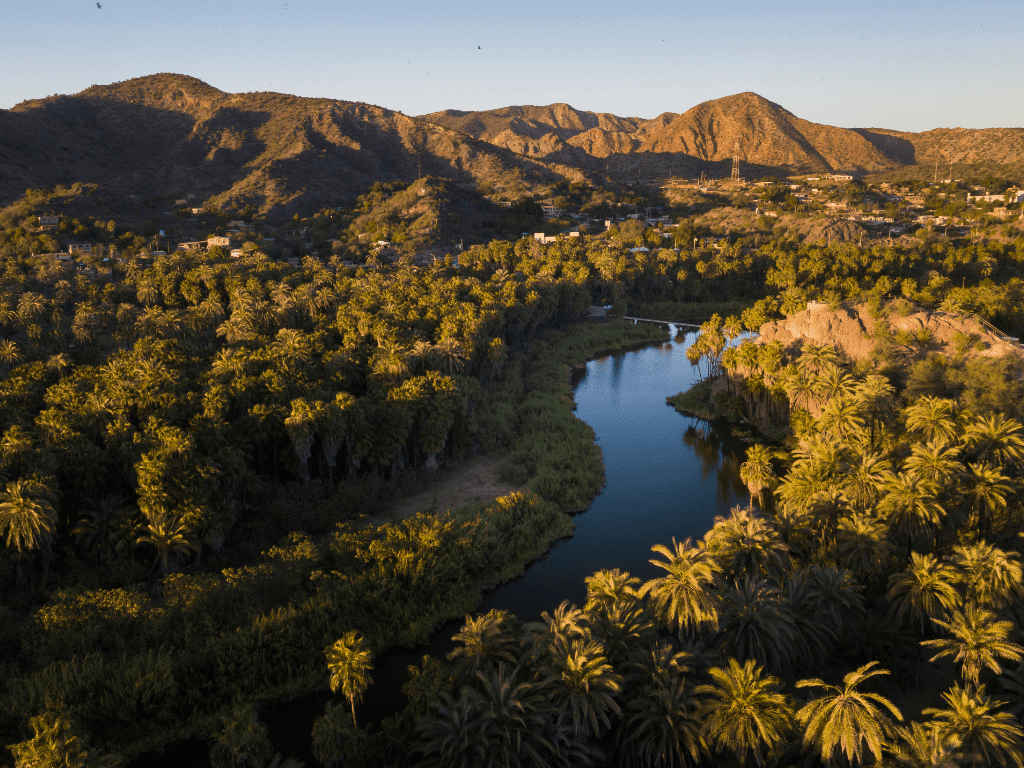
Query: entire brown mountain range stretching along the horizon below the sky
(168, 135)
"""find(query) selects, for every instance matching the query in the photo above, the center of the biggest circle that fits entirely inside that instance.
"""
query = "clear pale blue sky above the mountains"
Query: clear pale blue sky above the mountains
(904, 64)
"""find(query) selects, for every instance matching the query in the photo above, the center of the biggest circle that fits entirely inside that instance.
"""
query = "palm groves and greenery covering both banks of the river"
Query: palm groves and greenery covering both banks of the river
(237, 416)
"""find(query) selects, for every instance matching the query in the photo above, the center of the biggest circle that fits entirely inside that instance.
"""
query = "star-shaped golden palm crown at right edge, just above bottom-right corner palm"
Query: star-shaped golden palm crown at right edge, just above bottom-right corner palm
(978, 642)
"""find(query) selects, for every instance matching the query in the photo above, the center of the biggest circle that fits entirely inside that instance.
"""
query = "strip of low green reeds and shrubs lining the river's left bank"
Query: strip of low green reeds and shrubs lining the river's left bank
(258, 633)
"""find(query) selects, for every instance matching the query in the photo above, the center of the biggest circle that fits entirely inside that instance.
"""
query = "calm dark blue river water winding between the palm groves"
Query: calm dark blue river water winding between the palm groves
(667, 476)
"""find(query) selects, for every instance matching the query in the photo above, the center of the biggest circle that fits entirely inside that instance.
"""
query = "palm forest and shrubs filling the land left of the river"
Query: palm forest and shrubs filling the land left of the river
(230, 415)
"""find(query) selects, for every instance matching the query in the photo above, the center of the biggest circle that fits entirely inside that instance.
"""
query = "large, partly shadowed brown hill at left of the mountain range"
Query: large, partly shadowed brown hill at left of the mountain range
(169, 135)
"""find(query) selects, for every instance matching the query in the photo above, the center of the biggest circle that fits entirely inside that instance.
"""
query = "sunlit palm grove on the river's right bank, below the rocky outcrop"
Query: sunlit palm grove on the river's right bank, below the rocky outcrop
(787, 635)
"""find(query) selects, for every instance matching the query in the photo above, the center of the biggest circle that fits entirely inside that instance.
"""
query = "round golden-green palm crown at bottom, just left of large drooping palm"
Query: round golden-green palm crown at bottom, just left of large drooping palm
(745, 712)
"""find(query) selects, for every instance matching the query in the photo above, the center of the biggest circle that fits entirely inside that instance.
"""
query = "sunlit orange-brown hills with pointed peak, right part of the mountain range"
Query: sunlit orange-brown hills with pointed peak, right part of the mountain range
(764, 135)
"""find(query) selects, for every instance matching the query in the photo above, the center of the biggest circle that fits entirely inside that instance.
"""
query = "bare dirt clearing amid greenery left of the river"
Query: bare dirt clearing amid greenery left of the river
(474, 481)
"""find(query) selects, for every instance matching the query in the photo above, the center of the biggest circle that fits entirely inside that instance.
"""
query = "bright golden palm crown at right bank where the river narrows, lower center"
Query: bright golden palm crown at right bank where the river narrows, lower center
(684, 599)
